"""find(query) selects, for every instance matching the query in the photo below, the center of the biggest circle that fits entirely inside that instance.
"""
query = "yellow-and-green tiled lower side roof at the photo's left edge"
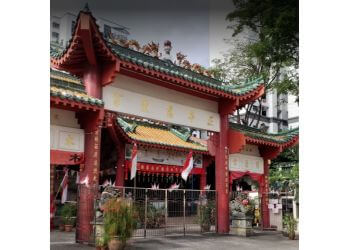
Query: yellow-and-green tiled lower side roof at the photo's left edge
(67, 86)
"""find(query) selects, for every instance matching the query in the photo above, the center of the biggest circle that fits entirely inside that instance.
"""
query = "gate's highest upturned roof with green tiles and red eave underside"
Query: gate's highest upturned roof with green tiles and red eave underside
(88, 47)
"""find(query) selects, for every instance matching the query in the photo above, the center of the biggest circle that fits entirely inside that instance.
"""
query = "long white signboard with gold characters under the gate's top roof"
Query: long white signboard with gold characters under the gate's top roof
(135, 97)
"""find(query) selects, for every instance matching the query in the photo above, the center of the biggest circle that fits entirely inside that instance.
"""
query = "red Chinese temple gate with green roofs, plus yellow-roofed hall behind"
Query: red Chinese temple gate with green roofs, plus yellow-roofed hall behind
(101, 88)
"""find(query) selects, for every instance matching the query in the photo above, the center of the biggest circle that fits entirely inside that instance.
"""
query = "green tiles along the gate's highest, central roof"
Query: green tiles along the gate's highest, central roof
(127, 55)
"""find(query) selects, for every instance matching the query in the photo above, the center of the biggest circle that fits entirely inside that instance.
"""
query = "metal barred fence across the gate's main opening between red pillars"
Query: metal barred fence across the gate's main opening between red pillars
(164, 212)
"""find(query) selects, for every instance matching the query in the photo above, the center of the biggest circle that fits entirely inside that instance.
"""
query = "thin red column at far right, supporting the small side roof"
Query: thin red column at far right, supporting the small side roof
(265, 196)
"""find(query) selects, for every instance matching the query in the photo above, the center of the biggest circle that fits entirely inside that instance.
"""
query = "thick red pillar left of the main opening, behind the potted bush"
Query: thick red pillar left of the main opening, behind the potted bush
(91, 123)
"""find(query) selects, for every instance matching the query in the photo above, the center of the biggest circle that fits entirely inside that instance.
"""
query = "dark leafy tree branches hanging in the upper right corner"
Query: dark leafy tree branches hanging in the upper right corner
(276, 24)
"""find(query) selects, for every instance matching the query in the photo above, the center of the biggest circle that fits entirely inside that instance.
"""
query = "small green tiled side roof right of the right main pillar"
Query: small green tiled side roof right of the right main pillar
(254, 133)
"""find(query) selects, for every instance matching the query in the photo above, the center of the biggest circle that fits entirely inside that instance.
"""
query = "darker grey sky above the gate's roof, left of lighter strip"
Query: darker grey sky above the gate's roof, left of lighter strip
(184, 23)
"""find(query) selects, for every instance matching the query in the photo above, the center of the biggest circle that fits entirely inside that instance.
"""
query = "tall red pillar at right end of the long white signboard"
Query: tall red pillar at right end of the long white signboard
(222, 177)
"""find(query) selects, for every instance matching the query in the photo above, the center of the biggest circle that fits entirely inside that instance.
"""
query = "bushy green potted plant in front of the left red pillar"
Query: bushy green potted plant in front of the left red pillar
(119, 222)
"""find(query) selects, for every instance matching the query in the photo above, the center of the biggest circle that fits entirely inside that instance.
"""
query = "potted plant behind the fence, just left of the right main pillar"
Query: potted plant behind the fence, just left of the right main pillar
(206, 214)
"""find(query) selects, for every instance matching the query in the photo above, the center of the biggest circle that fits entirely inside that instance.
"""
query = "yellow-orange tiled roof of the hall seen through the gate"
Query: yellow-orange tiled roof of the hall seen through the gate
(156, 134)
